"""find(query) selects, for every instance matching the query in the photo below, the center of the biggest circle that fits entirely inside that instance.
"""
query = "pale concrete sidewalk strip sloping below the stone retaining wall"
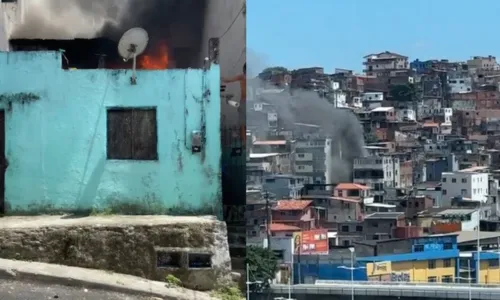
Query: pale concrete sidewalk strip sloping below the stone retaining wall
(96, 279)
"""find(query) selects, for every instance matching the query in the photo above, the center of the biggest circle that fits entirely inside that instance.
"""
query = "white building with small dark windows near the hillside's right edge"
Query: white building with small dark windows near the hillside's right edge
(469, 185)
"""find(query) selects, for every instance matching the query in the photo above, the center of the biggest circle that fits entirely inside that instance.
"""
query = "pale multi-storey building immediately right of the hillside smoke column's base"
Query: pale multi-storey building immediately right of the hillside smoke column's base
(377, 172)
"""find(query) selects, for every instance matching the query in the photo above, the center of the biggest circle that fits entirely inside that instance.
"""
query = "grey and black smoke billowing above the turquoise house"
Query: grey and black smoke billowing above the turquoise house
(178, 23)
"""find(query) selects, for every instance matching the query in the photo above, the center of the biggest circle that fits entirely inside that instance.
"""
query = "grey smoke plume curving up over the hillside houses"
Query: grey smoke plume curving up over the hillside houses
(341, 125)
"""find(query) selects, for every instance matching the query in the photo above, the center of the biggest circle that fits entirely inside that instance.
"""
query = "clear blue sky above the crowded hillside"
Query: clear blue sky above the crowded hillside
(338, 33)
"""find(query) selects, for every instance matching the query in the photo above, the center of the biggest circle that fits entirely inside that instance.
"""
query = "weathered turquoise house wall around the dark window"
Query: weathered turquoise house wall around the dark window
(56, 139)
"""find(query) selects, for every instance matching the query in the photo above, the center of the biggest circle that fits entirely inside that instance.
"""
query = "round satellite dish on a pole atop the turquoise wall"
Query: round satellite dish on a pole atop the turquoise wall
(131, 45)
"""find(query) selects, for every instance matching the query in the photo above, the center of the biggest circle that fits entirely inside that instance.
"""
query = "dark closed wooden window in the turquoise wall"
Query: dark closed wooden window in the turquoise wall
(132, 134)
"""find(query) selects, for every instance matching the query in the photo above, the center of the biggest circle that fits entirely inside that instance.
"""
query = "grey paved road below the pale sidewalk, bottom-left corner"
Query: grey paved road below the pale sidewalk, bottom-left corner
(15, 290)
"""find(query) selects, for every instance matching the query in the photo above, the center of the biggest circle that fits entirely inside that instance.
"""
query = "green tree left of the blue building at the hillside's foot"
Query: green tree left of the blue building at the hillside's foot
(262, 264)
